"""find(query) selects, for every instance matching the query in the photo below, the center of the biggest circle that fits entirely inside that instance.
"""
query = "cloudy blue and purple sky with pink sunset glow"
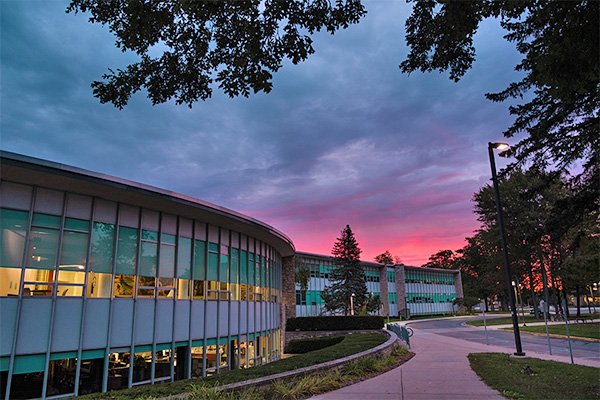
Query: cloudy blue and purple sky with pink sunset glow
(343, 138)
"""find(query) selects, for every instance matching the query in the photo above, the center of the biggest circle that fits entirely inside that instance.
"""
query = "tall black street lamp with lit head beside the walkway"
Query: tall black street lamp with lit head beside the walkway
(503, 148)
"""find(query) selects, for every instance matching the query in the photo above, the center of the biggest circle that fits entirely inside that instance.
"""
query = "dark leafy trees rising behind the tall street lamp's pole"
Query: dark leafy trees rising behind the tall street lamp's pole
(544, 238)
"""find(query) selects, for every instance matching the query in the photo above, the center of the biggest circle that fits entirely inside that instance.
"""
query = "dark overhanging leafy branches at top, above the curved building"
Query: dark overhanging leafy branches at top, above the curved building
(236, 45)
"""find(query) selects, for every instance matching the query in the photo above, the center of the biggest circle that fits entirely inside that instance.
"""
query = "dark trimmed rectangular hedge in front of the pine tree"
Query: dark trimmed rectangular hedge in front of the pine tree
(336, 323)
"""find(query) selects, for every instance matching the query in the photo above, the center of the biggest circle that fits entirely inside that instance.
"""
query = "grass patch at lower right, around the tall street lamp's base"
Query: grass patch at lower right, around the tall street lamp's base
(531, 378)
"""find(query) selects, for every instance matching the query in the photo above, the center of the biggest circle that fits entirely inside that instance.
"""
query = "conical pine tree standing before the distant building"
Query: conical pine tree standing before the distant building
(347, 277)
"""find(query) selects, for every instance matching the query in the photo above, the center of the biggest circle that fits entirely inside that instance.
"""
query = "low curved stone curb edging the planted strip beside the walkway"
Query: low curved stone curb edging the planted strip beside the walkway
(390, 343)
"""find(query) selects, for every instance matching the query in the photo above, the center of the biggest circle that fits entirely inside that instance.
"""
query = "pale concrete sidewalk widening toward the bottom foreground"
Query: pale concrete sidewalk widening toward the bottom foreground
(439, 370)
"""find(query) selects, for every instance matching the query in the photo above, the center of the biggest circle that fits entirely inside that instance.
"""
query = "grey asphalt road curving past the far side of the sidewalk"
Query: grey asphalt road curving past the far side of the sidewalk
(455, 328)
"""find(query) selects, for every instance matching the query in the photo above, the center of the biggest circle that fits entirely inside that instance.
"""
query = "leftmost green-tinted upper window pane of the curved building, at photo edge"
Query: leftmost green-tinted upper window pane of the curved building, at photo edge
(12, 237)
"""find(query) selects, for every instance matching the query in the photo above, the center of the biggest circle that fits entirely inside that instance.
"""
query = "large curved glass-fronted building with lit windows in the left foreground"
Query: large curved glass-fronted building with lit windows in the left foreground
(107, 284)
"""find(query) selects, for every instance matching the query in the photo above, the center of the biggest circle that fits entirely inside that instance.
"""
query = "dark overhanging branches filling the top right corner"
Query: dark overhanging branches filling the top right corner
(559, 41)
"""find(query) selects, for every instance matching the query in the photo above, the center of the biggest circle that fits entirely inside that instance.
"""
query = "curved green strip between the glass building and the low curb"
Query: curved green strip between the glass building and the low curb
(351, 344)
